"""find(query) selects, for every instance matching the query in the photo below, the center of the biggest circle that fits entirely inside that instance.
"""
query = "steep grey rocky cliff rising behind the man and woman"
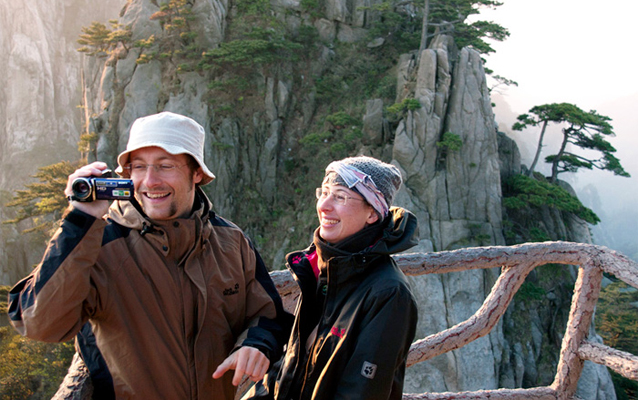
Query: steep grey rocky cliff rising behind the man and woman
(267, 134)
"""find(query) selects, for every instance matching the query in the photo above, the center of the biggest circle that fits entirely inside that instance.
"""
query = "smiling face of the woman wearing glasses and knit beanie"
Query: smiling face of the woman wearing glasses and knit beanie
(338, 221)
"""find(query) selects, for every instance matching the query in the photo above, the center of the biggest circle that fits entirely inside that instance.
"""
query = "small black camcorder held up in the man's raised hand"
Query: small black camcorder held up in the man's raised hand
(101, 188)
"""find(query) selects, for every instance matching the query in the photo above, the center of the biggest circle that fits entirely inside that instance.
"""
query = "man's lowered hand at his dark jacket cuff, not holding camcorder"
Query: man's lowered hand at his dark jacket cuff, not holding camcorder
(245, 361)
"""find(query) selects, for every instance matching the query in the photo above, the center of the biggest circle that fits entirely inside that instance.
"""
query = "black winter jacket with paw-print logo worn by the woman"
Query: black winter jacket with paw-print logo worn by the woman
(365, 315)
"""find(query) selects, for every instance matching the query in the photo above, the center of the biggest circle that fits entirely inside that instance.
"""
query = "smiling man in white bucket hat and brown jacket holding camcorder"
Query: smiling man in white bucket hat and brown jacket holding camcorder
(175, 296)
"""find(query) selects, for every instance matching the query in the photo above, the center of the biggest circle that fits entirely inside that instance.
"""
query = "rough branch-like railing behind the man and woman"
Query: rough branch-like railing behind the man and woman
(516, 263)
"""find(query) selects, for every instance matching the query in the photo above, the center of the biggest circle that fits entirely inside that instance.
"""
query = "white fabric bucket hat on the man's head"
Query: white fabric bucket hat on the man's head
(174, 133)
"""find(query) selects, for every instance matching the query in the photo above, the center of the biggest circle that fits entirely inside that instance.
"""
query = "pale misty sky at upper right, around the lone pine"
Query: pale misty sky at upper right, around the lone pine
(580, 52)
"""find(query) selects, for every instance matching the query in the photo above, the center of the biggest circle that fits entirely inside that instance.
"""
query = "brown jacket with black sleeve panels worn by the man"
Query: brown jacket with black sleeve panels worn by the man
(167, 302)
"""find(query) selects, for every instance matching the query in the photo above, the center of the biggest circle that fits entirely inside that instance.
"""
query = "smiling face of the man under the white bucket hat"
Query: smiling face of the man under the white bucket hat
(164, 192)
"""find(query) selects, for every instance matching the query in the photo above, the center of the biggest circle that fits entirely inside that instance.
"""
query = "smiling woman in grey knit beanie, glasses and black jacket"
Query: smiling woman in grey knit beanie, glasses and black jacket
(356, 316)
